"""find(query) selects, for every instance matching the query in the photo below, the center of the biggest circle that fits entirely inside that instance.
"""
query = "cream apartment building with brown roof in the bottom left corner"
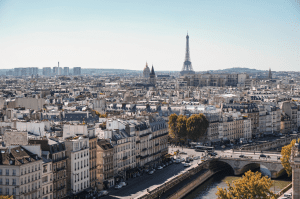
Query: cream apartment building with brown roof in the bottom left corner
(20, 173)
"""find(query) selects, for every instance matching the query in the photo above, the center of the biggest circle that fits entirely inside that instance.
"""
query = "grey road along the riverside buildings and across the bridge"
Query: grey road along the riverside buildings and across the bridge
(138, 186)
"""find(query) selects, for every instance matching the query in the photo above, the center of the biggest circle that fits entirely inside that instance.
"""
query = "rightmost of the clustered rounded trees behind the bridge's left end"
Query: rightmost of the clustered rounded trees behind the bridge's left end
(196, 126)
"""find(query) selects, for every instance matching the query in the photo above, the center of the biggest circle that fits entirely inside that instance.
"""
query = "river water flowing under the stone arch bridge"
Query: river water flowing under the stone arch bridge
(208, 189)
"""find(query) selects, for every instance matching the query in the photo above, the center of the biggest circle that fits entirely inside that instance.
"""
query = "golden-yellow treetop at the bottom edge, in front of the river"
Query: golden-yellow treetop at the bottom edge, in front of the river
(251, 185)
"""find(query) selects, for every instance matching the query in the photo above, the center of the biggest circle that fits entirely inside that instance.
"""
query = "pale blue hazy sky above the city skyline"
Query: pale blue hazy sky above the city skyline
(125, 34)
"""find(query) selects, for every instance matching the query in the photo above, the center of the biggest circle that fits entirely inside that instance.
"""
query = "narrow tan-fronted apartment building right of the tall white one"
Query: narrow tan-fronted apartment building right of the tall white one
(105, 166)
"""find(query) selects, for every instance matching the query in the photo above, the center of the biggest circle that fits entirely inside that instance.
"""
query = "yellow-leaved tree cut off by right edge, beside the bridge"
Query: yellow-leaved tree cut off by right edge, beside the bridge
(286, 155)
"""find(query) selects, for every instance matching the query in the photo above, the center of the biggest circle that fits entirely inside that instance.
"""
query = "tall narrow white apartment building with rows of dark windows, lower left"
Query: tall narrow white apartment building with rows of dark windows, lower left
(77, 151)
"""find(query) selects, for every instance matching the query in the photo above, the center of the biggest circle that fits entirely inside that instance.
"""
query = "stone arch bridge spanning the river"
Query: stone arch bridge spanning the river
(241, 165)
